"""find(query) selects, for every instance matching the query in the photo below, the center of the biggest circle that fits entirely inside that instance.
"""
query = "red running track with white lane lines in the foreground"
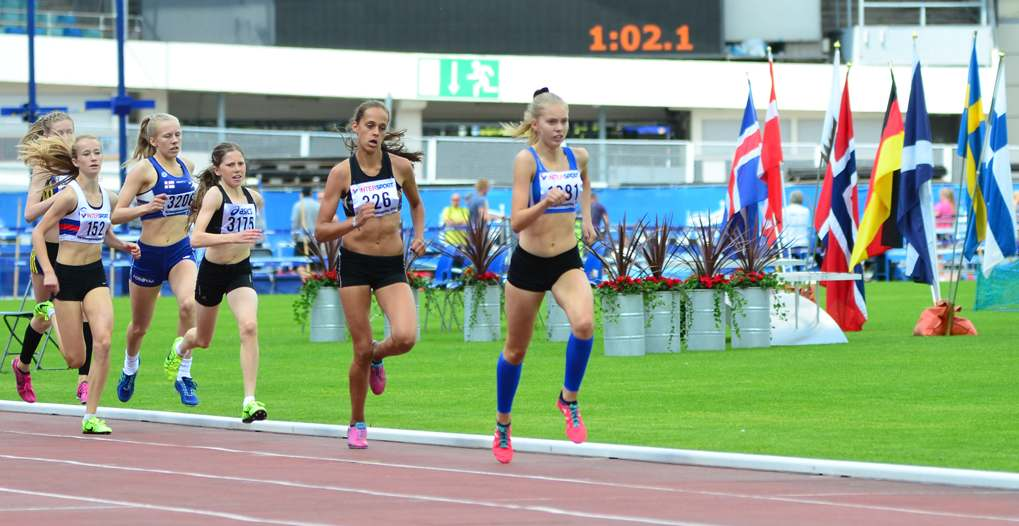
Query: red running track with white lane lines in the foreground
(164, 475)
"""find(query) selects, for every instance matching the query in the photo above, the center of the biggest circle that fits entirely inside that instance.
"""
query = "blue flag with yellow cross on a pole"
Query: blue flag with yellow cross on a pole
(972, 129)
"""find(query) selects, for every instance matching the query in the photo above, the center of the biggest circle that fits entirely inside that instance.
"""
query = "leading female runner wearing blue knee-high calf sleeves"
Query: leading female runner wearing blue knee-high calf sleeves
(550, 183)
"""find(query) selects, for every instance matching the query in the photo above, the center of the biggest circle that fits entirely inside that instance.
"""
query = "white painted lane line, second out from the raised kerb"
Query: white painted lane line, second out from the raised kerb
(358, 491)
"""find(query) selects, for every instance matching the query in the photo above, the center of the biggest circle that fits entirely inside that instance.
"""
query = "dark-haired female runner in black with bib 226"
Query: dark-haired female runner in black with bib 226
(370, 184)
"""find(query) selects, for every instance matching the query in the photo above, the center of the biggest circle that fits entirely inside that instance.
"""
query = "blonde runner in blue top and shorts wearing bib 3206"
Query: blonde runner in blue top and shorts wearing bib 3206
(162, 184)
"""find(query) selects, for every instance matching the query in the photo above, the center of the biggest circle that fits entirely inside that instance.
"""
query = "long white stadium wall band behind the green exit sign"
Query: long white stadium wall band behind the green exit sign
(358, 75)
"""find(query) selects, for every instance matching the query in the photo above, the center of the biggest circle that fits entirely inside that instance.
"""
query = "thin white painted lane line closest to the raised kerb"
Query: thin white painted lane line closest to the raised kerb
(643, 488)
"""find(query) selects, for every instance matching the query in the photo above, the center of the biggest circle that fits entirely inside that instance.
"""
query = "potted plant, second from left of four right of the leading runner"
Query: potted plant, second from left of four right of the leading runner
(663, 296)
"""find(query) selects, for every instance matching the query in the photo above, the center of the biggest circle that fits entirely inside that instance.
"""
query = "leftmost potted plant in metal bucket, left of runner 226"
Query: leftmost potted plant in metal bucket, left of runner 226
(318, 300)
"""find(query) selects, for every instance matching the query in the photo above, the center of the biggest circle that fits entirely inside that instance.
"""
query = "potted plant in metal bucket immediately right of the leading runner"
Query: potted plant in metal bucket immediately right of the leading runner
(622, 295)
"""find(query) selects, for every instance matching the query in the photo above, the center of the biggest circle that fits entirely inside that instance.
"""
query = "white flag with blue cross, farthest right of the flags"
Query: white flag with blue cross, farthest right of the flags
(996, 171)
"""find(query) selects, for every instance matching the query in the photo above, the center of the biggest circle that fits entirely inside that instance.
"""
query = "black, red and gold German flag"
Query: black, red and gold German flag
(879, 232)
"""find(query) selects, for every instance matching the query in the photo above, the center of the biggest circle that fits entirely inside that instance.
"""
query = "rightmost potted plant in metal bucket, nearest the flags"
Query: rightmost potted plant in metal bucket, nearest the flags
(752, 289)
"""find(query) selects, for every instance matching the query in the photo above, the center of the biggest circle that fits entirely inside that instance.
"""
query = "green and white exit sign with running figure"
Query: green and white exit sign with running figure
(459, 79)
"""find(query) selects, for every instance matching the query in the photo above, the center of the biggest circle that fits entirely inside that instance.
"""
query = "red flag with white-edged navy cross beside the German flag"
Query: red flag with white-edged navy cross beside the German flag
(846, 302)
